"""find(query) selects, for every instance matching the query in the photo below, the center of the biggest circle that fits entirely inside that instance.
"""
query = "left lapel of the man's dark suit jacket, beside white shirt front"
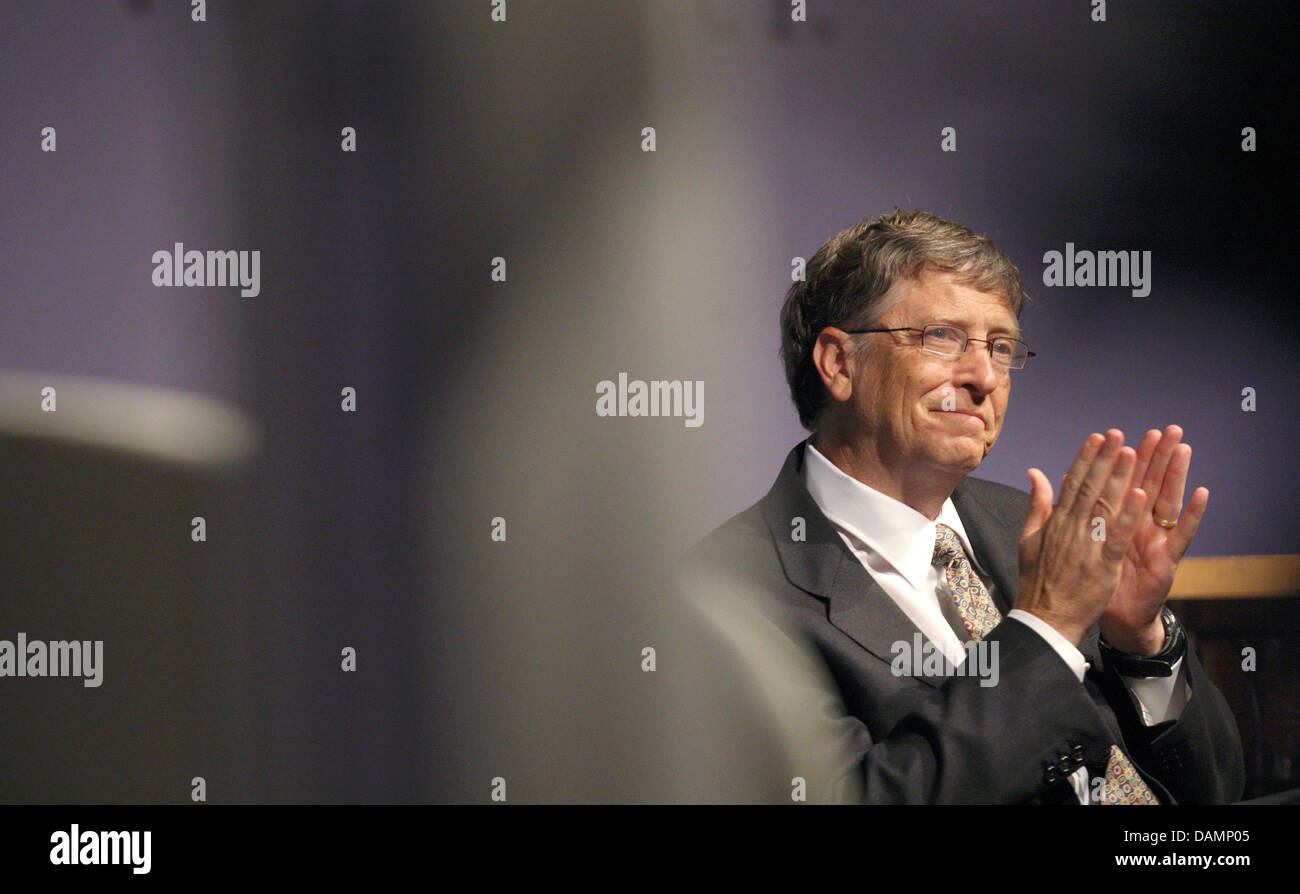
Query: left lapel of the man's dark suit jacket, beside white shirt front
(824, 566)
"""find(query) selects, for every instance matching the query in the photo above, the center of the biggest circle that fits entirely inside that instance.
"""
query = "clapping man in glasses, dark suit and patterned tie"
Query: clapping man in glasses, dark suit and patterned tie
(900, 350)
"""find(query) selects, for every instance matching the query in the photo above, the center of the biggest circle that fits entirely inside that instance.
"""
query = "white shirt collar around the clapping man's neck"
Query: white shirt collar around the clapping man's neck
(898, 533)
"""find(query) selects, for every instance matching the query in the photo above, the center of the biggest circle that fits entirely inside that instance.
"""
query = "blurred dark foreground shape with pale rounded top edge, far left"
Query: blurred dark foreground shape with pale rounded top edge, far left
(96, 545)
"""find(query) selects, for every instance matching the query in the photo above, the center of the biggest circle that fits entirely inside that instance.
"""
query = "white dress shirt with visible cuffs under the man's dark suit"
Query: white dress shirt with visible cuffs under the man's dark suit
(896, 545)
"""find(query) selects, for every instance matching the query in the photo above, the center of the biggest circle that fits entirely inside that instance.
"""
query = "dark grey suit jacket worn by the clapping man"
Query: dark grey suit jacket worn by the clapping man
(926, 740)
